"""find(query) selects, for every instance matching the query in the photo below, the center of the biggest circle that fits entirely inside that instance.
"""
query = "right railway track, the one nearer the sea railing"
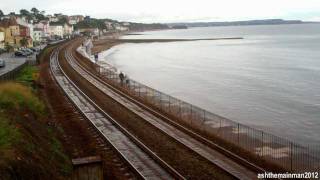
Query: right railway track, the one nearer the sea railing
(233, 168)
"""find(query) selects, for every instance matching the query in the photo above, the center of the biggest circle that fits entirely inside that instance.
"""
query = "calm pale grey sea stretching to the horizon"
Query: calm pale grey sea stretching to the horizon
(269, 80)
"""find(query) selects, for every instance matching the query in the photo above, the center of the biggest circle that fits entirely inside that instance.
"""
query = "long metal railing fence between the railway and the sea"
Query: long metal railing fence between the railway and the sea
(284, 153)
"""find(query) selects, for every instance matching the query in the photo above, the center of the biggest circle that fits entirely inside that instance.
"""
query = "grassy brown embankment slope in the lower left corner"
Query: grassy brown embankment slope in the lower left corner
(28, 147)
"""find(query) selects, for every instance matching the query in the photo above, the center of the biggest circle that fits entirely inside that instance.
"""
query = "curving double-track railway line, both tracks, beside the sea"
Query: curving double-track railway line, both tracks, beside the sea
(144, 161)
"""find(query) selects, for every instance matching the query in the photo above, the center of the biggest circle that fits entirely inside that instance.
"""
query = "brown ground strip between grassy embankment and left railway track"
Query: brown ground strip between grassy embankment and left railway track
(77, 131)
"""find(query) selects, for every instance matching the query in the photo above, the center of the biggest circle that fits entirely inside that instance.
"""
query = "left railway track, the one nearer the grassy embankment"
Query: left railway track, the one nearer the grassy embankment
(145, 163)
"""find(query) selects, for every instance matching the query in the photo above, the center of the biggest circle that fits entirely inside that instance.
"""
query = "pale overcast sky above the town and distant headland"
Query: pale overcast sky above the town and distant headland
(175, 10)
